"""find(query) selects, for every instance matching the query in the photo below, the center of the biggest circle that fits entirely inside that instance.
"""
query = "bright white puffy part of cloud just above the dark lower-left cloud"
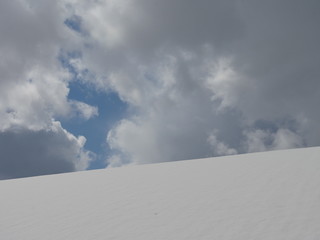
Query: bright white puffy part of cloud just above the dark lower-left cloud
(32, 102)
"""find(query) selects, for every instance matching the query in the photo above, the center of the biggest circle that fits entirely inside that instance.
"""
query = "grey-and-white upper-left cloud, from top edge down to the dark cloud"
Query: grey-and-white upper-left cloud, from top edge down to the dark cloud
(34, 85)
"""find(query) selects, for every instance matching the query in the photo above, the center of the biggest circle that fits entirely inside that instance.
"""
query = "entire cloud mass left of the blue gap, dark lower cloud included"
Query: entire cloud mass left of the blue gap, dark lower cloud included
(34, 89)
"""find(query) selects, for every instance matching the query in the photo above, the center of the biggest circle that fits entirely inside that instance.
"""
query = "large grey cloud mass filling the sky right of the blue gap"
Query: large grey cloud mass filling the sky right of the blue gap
(188, 68)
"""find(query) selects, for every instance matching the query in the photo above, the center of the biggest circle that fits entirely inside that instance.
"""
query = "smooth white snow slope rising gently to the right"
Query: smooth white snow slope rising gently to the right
(271, 195)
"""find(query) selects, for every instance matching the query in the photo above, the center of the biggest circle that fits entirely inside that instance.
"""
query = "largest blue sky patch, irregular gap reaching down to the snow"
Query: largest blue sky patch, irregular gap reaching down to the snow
(111, 110)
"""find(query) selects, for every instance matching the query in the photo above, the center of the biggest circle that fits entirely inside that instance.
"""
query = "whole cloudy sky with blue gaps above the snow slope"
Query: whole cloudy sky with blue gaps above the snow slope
(107, 83)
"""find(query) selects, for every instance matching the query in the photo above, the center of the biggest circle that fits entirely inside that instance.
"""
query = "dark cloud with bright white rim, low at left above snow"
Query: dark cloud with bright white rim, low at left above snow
(26, 153)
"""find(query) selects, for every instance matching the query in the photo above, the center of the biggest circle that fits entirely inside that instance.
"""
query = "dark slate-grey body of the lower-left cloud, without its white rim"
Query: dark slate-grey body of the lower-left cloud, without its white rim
(26, 154)
